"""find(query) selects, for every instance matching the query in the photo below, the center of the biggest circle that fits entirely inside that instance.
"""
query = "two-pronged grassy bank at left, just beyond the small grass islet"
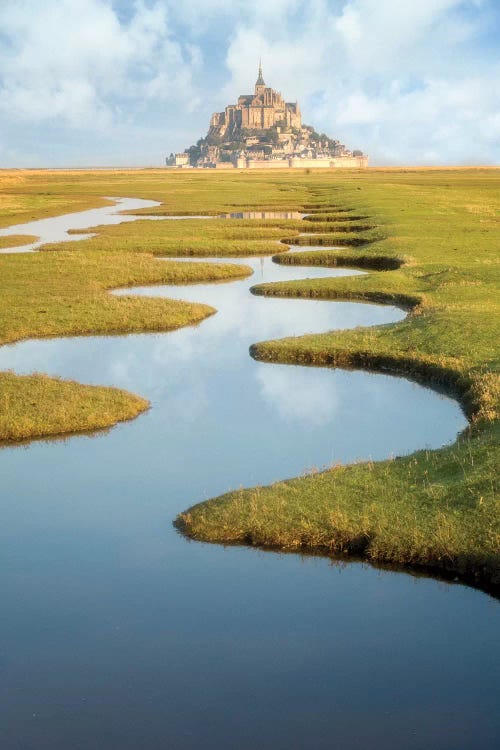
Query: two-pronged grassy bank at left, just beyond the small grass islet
(66, 293)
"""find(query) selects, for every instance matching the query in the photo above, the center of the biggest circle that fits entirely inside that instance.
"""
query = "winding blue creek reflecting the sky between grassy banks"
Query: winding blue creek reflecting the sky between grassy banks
(117, 633)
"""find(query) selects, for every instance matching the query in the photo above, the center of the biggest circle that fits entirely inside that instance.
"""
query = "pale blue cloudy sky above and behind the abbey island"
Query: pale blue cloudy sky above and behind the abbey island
(124, 82)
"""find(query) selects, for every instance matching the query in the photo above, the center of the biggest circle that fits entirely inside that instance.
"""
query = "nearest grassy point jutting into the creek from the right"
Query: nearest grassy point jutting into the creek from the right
(436, 510)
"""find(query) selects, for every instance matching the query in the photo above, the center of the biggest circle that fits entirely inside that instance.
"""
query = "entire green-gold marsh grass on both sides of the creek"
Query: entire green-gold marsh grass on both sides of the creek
(431, 239)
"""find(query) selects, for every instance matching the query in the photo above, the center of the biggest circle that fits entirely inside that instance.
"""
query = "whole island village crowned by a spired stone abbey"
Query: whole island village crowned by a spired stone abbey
(262, 130)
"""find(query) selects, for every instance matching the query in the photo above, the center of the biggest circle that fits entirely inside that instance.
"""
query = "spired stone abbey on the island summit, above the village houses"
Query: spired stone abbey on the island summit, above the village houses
(263, 109)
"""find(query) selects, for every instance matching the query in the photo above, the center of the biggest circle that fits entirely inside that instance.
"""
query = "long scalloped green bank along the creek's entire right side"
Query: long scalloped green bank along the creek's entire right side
(439, 235)
